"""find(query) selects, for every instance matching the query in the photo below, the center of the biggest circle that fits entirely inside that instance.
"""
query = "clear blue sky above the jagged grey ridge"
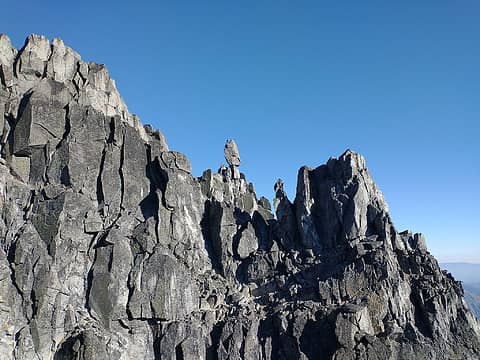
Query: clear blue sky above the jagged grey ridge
(295, 82)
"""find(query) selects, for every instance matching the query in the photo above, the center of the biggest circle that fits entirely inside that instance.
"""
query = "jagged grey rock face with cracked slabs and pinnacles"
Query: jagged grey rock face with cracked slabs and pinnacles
(111, 249)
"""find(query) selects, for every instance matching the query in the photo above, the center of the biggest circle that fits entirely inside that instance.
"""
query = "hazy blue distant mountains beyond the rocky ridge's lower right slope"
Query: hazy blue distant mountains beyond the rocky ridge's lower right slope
(469, 275)
